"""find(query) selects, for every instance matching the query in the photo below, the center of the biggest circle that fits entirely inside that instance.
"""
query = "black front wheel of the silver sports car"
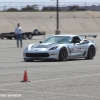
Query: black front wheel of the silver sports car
(63, 54)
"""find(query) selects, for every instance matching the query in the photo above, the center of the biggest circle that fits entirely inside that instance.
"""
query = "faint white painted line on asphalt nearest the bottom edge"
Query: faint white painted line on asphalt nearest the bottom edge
(52, 93)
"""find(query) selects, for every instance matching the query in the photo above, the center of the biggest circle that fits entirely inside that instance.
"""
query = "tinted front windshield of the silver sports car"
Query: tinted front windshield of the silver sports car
(58, 39)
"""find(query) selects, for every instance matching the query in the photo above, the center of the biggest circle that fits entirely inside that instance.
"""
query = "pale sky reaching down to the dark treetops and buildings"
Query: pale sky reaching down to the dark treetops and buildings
(5, 4)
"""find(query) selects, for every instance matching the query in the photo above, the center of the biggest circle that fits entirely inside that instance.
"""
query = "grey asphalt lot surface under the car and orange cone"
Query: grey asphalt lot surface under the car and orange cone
(70, 80)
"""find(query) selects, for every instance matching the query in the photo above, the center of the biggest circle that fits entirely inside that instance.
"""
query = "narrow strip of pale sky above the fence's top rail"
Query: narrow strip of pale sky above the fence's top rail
(49, 1)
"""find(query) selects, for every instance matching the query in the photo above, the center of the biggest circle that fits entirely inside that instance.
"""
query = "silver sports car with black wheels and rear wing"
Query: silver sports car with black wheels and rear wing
(61, 47)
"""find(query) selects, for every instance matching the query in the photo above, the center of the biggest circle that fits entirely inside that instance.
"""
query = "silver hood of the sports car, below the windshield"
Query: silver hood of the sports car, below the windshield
(44, 45)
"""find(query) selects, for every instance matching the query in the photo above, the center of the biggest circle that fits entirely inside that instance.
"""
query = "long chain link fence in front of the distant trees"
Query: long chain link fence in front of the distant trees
(39, 6)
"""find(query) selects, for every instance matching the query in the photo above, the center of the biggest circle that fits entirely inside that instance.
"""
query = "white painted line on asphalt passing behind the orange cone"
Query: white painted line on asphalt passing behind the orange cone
(53, 79)
